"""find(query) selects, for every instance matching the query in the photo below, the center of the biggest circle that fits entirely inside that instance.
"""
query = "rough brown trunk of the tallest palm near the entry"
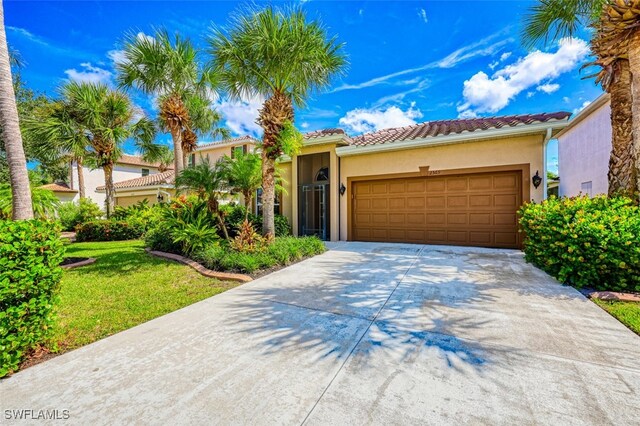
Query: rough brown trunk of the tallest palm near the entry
(275, 111)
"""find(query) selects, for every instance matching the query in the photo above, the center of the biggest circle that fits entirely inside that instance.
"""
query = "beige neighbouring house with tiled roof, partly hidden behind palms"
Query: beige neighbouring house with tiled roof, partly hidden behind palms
(159, 187)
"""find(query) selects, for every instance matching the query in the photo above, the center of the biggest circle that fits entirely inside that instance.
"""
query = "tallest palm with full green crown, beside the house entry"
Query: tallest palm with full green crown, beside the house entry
(281, 56)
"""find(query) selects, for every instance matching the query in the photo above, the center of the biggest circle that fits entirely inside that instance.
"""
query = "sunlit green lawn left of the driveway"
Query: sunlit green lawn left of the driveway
(123, 288)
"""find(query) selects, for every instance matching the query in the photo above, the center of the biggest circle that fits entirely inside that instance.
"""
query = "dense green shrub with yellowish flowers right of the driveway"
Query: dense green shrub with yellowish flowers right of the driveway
(585, 242)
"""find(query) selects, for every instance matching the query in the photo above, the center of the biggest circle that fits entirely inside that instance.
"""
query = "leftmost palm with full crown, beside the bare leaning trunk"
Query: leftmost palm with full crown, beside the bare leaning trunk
(66, 140)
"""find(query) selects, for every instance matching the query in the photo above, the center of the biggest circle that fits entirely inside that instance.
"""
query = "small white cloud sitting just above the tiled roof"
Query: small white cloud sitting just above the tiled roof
(361, 120)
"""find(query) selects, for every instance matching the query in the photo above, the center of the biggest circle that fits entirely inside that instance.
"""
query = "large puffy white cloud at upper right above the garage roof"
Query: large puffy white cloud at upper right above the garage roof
(490, 94)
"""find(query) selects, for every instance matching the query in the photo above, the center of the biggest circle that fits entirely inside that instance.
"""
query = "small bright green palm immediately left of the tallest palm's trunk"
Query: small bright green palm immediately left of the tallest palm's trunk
(244, 175)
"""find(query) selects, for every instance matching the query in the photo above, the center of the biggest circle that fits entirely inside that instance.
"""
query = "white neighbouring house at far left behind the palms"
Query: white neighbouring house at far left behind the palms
(126, 168)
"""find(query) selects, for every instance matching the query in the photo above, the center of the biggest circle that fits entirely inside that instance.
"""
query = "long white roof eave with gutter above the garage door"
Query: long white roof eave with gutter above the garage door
(465, 137)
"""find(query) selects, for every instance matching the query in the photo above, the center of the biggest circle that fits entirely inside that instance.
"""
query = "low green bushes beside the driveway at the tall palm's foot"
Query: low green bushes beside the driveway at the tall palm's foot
(282, 251)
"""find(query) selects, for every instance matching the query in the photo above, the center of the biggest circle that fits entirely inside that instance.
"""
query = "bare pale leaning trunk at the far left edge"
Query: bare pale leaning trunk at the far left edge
(20, 190)
